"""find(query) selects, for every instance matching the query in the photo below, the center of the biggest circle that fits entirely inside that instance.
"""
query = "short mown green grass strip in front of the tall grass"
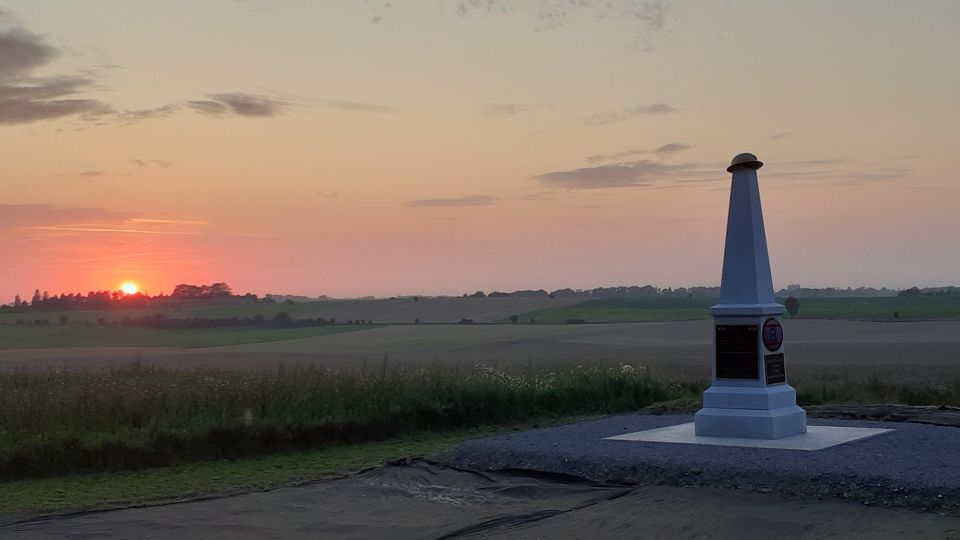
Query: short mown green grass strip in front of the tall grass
(104, 490)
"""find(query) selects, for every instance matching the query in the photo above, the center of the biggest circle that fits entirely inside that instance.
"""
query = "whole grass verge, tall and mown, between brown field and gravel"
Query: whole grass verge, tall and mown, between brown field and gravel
(243, 431)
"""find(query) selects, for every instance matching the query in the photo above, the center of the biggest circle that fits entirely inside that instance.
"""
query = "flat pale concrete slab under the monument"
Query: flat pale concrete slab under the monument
(816, 437)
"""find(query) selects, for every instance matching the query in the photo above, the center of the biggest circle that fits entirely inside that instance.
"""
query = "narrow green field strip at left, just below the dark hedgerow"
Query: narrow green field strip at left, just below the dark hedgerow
(83, 335)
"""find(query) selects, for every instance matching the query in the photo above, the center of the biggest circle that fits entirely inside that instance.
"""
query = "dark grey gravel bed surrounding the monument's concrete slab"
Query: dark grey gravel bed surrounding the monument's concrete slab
(915, 466)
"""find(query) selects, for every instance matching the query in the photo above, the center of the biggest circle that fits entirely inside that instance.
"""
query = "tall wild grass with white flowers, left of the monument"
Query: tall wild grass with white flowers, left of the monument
(61, 423)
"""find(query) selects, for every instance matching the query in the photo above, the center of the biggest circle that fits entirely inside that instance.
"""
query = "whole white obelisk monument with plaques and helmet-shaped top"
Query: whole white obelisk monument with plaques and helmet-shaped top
(749, 396)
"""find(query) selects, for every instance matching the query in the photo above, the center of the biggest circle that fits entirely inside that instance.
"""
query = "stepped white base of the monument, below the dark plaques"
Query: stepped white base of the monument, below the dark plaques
(750, 412)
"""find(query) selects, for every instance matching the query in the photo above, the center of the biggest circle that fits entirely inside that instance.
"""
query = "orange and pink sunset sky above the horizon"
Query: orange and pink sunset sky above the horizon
(351, 147)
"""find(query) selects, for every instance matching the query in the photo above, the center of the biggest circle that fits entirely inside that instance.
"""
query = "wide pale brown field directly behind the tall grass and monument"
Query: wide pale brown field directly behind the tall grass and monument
(660, 345)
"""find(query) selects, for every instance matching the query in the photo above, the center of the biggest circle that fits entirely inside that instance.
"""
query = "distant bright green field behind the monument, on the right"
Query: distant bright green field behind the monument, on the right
(893, 308)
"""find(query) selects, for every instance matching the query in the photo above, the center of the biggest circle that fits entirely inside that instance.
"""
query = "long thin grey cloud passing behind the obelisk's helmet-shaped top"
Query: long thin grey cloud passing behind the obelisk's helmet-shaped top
(651, 174)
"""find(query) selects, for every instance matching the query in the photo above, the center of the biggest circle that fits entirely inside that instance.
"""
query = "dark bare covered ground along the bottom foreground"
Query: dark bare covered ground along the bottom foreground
(423, 500)
